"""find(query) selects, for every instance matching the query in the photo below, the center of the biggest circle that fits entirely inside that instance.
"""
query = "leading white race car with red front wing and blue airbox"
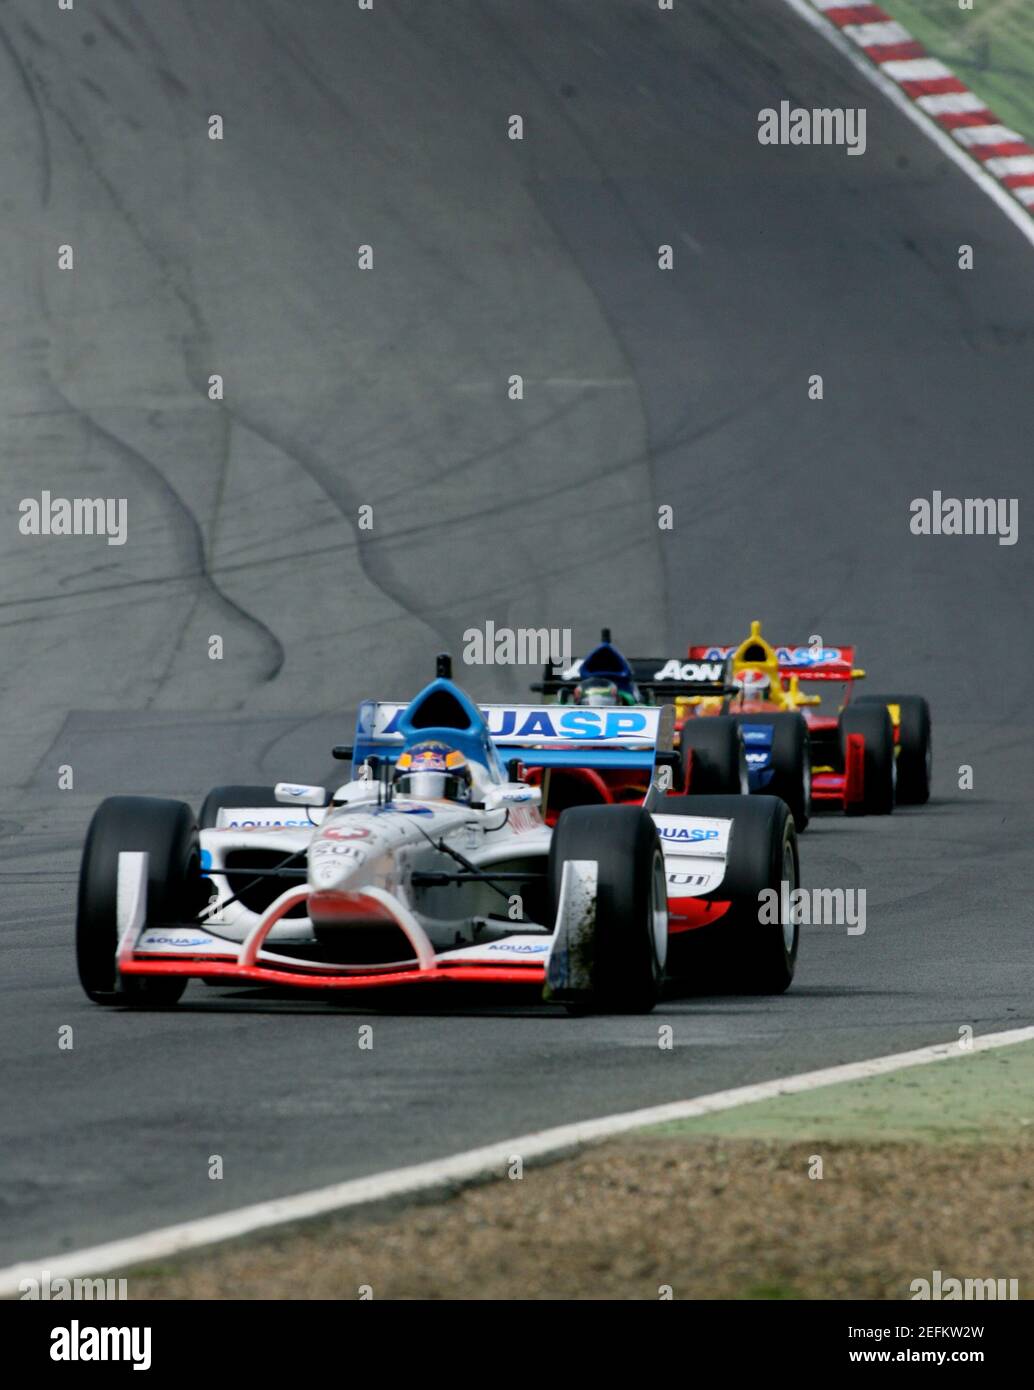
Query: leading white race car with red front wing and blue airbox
(443, 861)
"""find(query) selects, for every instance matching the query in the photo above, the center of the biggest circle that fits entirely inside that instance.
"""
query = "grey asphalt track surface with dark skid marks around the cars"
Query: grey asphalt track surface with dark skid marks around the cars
(388, 389)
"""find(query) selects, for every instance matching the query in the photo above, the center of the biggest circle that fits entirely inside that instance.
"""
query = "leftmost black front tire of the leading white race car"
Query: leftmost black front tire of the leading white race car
(167, 832)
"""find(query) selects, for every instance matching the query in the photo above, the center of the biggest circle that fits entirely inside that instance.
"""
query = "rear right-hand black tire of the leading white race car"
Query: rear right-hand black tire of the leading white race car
(754, 947)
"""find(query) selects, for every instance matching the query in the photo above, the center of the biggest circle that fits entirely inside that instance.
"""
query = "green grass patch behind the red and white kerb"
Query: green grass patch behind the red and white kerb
(992, 48)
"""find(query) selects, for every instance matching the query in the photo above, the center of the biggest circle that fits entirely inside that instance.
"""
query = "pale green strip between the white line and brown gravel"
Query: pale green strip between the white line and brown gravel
(989, 1096)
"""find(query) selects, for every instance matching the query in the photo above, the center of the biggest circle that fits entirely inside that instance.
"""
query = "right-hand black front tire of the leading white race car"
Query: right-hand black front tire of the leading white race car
(630, 939)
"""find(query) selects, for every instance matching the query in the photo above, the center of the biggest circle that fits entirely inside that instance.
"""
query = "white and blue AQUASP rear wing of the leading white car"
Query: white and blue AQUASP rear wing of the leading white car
(541, 736)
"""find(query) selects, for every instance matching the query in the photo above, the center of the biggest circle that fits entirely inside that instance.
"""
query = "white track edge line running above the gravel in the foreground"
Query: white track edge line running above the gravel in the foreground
(487, 1163)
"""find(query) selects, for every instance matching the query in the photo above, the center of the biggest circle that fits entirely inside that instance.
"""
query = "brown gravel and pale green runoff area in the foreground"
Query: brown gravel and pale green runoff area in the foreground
(926, 1170)
